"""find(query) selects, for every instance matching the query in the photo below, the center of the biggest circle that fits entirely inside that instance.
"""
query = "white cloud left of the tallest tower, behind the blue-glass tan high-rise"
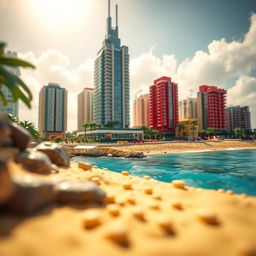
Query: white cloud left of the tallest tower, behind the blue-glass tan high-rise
(53, 66)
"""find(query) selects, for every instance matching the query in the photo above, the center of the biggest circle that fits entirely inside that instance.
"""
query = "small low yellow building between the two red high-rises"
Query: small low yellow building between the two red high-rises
(188, 130)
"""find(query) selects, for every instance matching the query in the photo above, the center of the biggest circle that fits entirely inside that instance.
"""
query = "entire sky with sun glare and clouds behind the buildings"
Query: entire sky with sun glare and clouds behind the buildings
(193, 58)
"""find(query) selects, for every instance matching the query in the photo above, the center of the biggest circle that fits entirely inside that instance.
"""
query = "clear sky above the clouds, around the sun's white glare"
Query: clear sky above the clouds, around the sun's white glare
(178, 27)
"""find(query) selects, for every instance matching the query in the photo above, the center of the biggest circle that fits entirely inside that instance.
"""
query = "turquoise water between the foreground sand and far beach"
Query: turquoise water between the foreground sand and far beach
(230, 169)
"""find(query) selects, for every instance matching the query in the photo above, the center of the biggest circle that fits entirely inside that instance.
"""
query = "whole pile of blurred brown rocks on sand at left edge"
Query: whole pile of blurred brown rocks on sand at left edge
(23, 194)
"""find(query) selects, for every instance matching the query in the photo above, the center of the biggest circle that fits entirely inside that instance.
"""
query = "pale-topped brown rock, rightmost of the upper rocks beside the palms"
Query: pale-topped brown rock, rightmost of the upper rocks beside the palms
(57, 153)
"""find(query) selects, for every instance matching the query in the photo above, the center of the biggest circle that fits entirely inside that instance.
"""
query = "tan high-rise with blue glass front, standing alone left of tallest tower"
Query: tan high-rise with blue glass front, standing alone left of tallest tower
(52, 121)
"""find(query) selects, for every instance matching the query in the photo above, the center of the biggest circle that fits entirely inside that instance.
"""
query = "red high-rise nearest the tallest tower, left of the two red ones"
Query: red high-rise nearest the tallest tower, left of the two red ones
(164, 104)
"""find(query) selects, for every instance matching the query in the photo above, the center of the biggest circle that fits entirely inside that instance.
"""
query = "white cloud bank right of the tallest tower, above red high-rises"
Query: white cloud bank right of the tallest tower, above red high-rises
(222, 61)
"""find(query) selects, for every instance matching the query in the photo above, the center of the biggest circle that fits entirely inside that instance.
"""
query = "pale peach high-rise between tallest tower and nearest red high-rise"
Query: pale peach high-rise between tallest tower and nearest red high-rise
(141, 111)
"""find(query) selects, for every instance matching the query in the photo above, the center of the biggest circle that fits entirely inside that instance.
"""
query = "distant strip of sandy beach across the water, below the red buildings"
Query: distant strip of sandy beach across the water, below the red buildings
(173, 147)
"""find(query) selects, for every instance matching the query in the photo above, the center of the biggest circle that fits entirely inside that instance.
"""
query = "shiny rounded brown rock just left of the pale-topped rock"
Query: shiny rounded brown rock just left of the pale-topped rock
(35, 161)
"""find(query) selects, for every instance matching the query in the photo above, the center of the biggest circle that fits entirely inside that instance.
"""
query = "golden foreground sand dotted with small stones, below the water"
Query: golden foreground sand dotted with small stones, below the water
(148, 218)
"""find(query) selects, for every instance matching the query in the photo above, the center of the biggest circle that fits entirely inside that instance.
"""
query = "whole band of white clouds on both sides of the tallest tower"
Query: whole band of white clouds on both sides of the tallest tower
(222, 61)
